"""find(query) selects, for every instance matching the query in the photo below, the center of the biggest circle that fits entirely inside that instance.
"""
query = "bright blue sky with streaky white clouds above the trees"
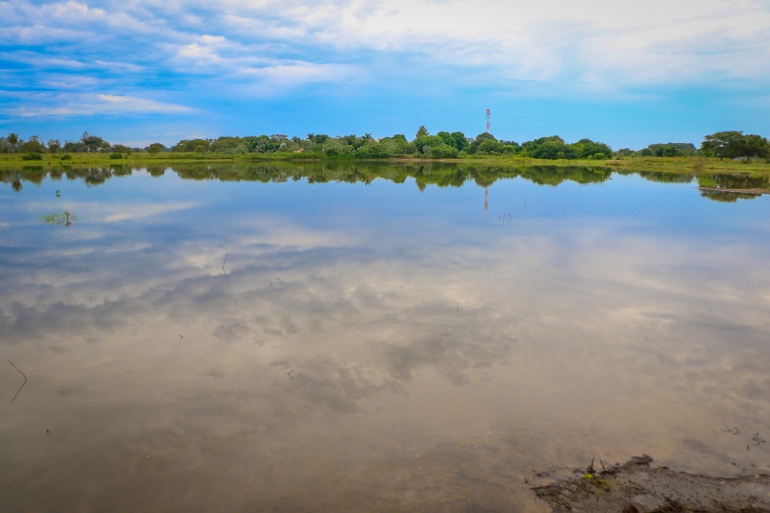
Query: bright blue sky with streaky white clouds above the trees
(625, 73)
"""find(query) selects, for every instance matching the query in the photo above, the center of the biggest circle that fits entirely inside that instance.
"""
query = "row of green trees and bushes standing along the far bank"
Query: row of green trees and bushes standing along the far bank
(730, 144)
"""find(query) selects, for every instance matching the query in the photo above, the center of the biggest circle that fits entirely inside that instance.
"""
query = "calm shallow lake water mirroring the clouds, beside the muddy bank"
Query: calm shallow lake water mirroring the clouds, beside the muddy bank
(371, 338)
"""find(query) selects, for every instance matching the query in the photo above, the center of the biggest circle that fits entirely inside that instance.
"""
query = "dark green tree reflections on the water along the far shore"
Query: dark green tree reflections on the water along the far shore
(424, 174)
